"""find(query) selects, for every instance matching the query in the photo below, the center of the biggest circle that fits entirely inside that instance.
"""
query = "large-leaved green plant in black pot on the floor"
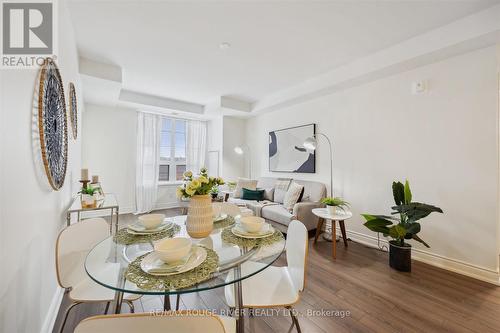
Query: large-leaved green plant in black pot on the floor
(402, 225)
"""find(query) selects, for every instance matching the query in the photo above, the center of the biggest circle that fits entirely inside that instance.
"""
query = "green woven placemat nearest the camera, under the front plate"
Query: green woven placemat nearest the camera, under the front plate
(199, 274)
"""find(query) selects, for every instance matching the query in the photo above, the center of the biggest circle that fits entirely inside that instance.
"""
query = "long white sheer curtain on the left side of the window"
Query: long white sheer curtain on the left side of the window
(148, 155)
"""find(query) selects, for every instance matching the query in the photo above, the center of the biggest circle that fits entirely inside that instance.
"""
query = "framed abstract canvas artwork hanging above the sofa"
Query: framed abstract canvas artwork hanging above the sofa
(286, 150)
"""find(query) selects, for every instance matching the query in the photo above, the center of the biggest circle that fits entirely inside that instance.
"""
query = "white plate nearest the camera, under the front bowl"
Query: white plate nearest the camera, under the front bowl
(152, 264)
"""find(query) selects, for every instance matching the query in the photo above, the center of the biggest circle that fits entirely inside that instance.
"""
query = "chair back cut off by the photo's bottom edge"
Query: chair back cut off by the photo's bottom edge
(171, 322)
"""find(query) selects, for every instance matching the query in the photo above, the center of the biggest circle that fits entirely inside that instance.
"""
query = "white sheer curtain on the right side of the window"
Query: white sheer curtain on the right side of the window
(196, 145)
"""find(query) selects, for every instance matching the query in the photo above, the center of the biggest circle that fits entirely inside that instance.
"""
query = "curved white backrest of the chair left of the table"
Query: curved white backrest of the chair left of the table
(73, 244)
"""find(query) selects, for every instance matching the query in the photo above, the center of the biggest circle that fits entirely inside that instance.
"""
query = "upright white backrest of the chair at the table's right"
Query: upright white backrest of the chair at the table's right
(296, 253)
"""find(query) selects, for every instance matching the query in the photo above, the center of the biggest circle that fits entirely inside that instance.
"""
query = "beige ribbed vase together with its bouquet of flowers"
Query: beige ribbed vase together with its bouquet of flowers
(199, 223)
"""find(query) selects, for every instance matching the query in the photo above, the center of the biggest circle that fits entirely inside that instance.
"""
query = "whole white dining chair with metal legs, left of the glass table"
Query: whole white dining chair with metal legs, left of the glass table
(73, 244)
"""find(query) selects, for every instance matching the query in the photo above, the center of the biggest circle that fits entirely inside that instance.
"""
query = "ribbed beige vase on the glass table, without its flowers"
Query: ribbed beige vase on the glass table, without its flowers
(199, 222)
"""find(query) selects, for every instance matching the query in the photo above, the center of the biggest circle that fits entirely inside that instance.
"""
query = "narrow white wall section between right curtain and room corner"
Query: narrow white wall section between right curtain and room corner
(233, 165)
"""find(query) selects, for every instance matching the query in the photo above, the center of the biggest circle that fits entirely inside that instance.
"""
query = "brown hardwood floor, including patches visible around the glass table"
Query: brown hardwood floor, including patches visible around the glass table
(358, 293)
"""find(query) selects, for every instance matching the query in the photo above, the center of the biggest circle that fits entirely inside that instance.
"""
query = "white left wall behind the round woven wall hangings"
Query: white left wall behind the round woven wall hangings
(31, 215)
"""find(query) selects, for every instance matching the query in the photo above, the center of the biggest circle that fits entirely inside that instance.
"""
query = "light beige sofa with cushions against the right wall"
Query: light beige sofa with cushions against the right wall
(277, 214)
